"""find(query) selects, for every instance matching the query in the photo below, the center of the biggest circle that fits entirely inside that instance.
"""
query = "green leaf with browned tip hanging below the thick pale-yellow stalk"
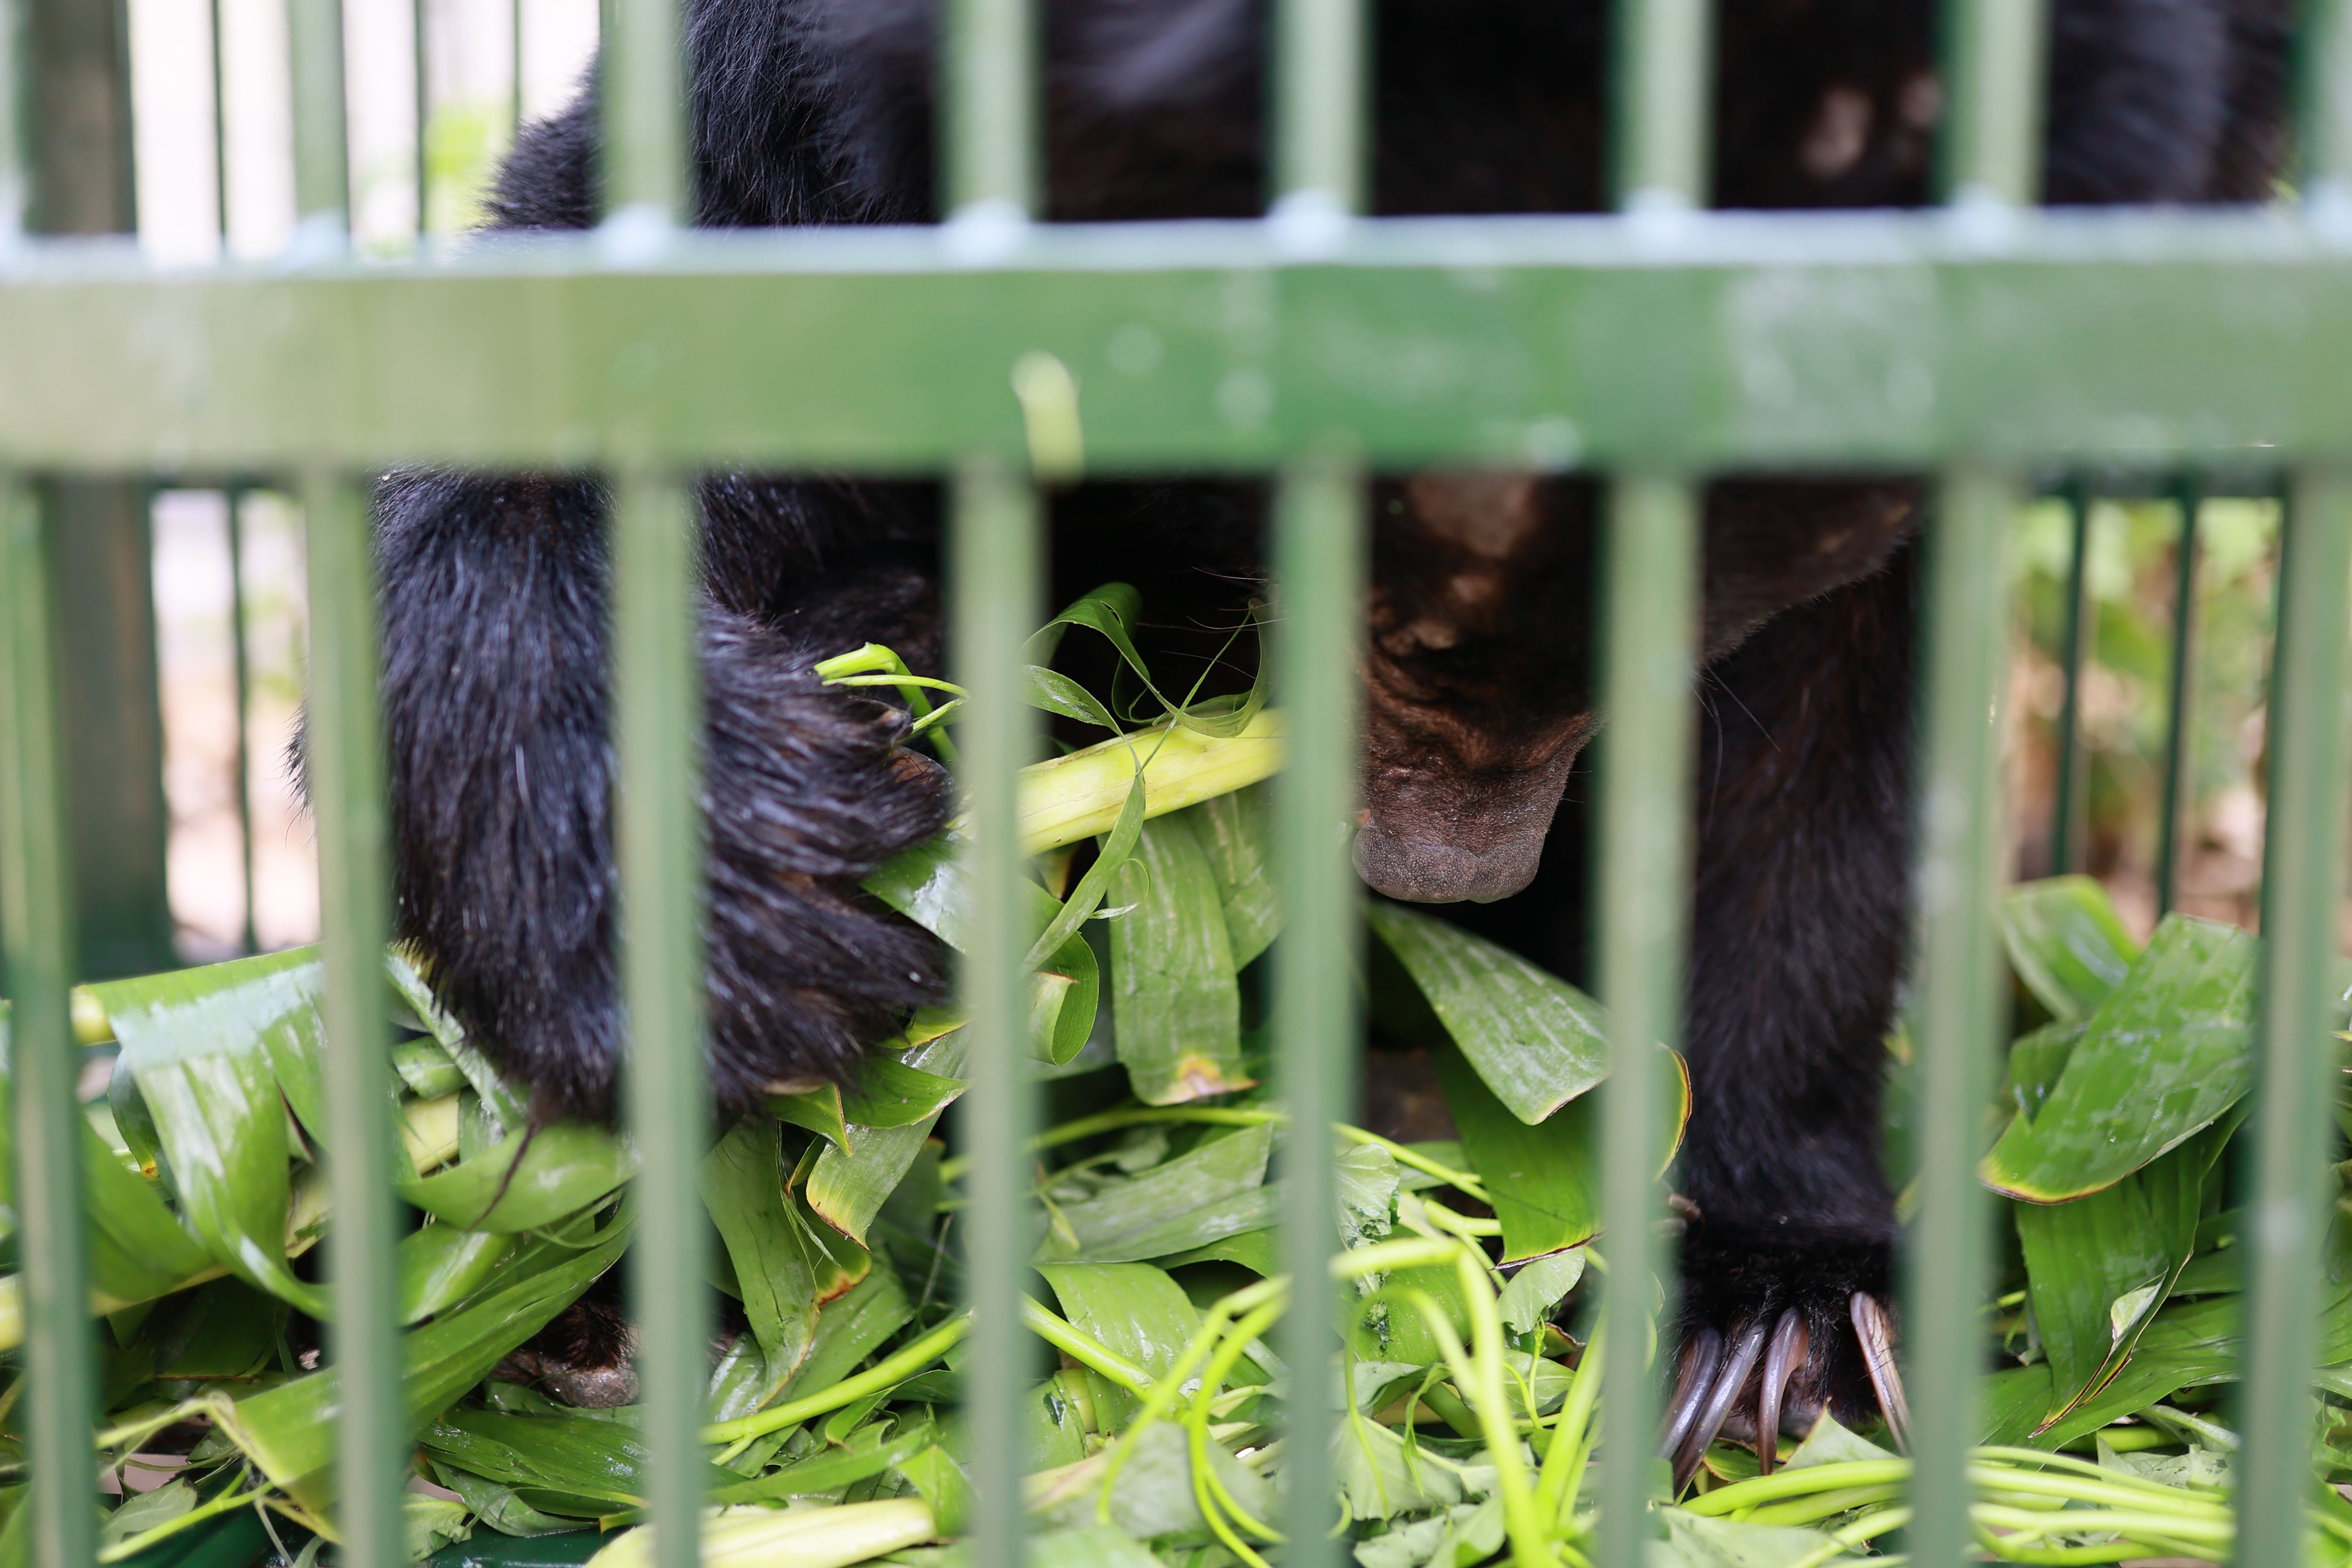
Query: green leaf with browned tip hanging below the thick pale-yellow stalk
(1172, 977)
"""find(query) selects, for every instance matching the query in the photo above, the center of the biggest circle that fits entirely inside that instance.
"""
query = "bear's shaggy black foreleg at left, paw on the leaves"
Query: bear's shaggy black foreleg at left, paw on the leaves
(502, 782)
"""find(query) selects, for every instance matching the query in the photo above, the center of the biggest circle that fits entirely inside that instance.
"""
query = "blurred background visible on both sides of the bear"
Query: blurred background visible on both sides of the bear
(180, 128)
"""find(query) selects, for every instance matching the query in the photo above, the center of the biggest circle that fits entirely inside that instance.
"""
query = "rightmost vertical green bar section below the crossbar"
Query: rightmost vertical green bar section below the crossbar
(2287, 1137)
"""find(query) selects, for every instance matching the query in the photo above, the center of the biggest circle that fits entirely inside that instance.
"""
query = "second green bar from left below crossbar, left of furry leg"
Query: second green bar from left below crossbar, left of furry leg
(345, 742)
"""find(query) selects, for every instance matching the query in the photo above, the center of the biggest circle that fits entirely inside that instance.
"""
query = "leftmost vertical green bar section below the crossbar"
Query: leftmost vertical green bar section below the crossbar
(36, 925)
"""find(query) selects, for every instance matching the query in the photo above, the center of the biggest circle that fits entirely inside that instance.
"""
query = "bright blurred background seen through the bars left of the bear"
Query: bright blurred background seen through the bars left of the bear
(436, 93)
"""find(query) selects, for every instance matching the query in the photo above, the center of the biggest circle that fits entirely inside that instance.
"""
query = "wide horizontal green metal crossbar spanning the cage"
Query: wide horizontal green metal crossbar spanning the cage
(1683, 342)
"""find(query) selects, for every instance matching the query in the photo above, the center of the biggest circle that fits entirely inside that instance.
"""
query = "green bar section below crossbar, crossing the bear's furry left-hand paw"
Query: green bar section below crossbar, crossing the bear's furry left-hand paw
(657, 688)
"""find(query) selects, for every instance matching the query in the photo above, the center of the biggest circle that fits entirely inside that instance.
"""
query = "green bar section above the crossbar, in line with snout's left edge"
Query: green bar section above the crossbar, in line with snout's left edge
(1321, 55)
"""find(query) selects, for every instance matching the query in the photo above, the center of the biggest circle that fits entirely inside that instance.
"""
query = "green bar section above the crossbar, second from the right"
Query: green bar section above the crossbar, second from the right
(1993, 140)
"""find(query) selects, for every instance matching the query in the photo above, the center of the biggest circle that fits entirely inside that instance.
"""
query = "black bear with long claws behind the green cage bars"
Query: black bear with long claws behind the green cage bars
(1478, 688)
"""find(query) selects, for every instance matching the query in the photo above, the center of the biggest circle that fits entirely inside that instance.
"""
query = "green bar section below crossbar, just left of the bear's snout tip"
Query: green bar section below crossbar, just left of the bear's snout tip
(1321, 565)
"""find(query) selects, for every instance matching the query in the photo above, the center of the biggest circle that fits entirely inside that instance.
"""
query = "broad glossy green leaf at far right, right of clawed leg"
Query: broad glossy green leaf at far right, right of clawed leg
(2163, 1057)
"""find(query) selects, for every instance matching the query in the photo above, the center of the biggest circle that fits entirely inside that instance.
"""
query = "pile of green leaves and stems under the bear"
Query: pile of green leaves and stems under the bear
(1469, 1369)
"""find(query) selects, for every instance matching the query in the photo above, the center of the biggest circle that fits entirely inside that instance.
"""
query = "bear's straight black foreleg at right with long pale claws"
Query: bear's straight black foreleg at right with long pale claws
(1798, 934)
